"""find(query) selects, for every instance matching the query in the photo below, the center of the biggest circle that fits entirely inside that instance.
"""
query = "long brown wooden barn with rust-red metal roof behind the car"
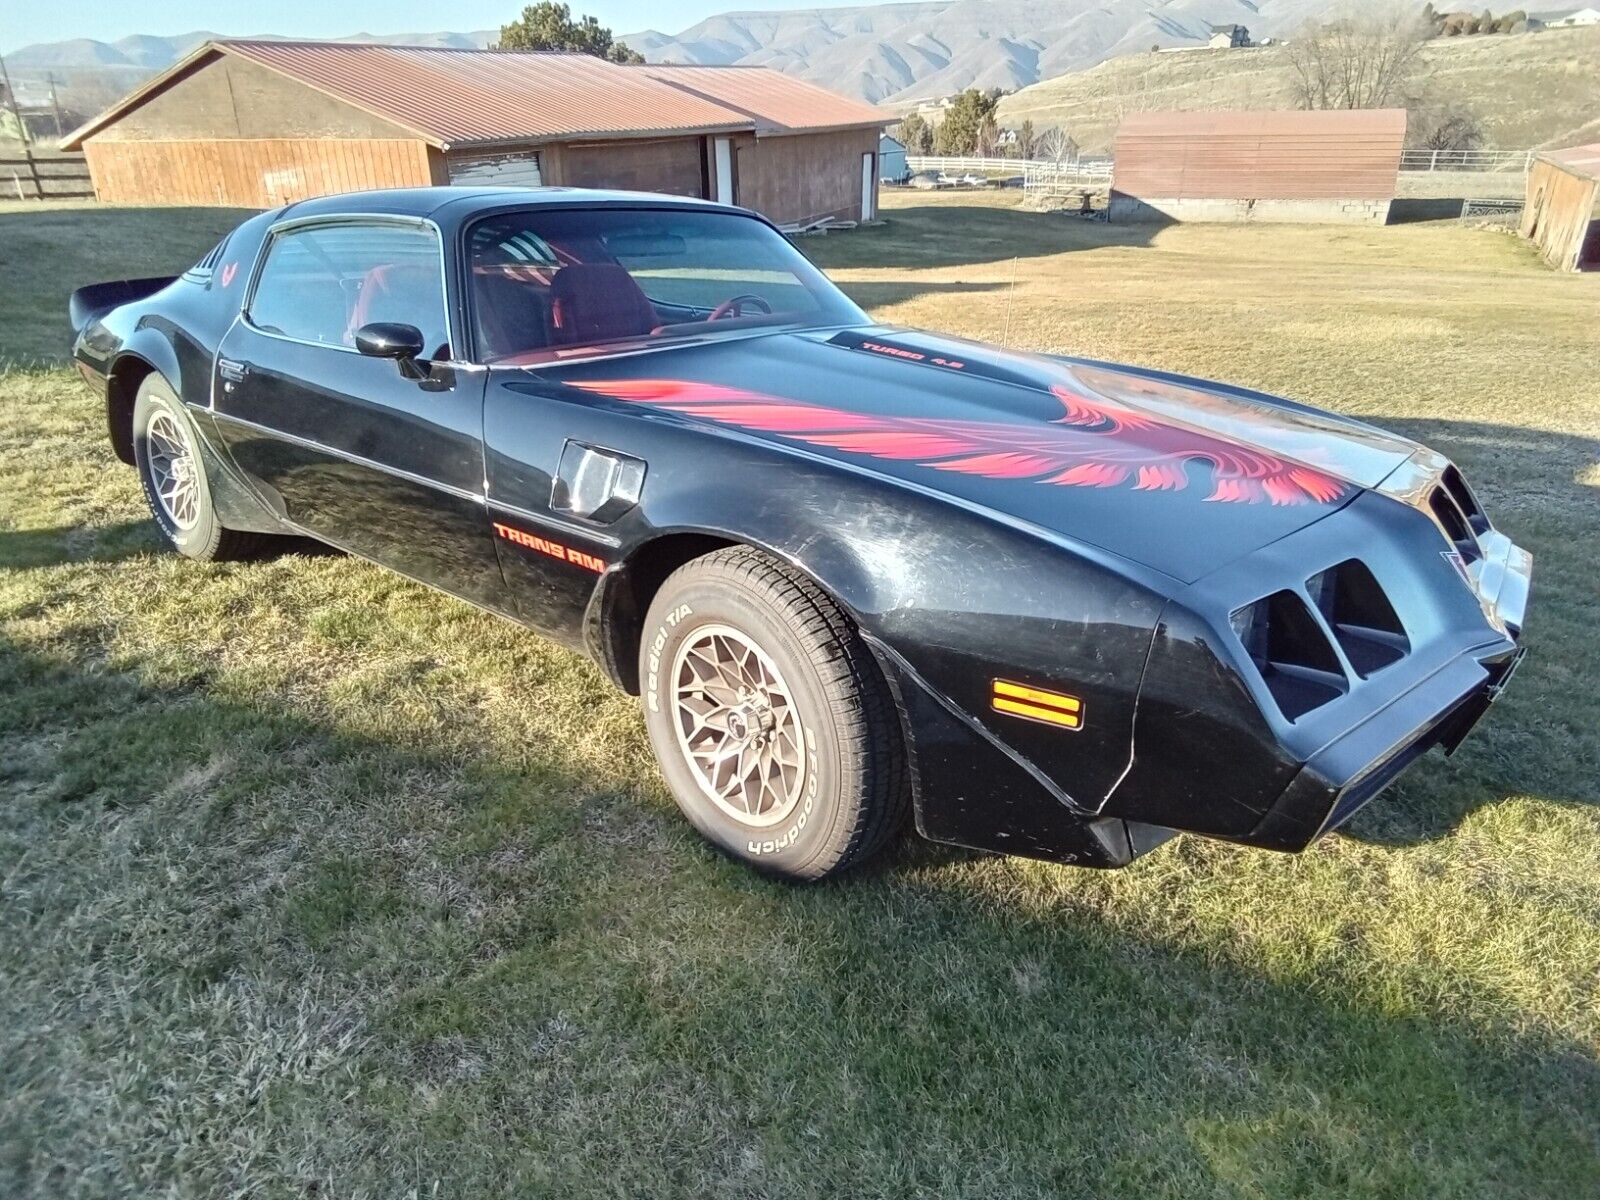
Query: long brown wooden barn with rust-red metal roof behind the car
(260, 124)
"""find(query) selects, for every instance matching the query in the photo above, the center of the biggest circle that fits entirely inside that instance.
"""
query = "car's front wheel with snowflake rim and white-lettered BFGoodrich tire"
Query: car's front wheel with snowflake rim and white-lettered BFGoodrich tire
(772, 722)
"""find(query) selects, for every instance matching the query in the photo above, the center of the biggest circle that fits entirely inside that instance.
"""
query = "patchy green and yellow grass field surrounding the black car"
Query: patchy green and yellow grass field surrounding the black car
(318, 884)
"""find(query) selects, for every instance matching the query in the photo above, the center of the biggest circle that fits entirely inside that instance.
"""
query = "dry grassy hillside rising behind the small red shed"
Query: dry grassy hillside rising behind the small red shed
(1529, 89)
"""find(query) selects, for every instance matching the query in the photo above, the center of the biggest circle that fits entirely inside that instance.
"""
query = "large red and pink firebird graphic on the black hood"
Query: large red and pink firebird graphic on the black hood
(1092, 446)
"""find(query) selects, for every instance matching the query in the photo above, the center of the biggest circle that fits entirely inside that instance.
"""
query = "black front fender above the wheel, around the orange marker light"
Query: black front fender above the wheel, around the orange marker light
(951, 601)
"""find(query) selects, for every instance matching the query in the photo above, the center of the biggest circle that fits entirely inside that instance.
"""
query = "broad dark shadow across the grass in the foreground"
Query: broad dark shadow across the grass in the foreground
(556, 982)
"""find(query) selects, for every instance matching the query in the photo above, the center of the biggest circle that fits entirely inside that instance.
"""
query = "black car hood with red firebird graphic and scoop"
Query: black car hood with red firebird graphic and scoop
(1178, 474)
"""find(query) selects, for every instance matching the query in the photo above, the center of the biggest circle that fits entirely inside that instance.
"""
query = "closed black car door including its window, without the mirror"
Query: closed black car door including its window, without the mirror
(350, 447)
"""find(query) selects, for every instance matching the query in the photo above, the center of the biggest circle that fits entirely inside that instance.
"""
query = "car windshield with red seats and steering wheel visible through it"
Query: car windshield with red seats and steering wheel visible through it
(554, 284)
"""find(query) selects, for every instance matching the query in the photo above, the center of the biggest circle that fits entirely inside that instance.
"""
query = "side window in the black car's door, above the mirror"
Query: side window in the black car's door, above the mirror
(321, 284)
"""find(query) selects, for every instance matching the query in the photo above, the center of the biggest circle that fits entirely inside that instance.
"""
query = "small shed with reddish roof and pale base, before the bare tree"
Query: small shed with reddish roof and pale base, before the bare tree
(1258, 166)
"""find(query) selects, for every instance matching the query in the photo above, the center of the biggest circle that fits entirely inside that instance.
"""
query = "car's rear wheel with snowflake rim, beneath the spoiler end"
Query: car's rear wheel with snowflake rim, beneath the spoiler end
(167, 455)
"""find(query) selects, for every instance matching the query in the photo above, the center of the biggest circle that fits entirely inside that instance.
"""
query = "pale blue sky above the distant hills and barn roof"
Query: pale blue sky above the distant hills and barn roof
(28, 22)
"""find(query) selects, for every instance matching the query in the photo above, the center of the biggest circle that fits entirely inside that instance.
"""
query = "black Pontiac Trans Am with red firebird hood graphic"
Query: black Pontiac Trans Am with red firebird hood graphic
(1054, 607)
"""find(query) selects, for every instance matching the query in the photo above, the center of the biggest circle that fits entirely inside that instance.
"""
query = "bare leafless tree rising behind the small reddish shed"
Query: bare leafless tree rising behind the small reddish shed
(1361, 62)
